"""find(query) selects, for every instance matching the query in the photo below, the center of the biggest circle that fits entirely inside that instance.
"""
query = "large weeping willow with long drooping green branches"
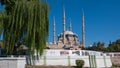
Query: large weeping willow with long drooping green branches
(28, 19)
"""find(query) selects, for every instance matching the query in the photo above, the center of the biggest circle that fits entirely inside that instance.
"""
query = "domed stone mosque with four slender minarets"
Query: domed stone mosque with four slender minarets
(67, 40)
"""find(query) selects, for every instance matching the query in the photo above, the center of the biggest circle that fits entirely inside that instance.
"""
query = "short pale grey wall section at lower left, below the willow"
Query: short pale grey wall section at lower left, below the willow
(12, 62)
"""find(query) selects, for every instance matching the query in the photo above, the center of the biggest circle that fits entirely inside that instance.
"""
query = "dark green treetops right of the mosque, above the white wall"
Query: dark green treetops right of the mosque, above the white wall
(99, 46)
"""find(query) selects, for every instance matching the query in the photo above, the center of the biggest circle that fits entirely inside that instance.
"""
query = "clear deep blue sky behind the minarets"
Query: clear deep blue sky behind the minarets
(102, 18)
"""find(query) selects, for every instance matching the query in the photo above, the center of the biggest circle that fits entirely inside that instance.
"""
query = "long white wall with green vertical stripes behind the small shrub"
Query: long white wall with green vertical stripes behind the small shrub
(90, 61)
